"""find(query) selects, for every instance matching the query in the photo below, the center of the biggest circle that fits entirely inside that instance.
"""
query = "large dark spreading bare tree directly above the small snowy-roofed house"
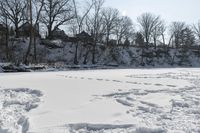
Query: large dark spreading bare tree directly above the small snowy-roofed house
(57, 13)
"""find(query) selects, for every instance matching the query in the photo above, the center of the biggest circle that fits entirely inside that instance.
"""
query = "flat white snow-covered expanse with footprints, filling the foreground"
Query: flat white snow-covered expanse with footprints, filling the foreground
(101, 101)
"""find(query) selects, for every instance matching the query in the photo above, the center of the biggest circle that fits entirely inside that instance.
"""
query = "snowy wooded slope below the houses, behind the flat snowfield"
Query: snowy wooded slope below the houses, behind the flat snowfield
(131, 56)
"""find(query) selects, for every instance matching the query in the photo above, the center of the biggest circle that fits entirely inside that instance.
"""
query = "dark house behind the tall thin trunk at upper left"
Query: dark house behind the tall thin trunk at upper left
(24, 30)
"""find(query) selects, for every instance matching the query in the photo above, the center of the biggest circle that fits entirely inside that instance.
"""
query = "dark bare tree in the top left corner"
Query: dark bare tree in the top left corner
(14, 10)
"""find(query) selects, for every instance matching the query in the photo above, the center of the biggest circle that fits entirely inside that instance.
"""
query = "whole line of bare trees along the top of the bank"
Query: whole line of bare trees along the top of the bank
(106, 25)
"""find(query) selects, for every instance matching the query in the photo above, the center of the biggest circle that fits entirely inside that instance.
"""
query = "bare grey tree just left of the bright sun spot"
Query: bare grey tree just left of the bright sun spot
(110, 17)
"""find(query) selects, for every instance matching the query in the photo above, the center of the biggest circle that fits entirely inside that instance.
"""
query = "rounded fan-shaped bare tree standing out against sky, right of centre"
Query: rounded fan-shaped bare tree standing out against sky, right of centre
(148, 22)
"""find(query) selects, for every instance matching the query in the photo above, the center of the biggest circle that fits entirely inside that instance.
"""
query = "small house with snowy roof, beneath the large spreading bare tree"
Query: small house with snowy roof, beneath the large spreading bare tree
(59, 34)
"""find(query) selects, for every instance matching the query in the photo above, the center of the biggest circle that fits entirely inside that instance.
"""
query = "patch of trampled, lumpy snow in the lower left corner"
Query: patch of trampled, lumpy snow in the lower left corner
(14, 105)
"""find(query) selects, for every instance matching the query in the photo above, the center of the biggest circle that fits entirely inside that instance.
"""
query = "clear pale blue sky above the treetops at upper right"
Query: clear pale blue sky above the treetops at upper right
(170, 10)
